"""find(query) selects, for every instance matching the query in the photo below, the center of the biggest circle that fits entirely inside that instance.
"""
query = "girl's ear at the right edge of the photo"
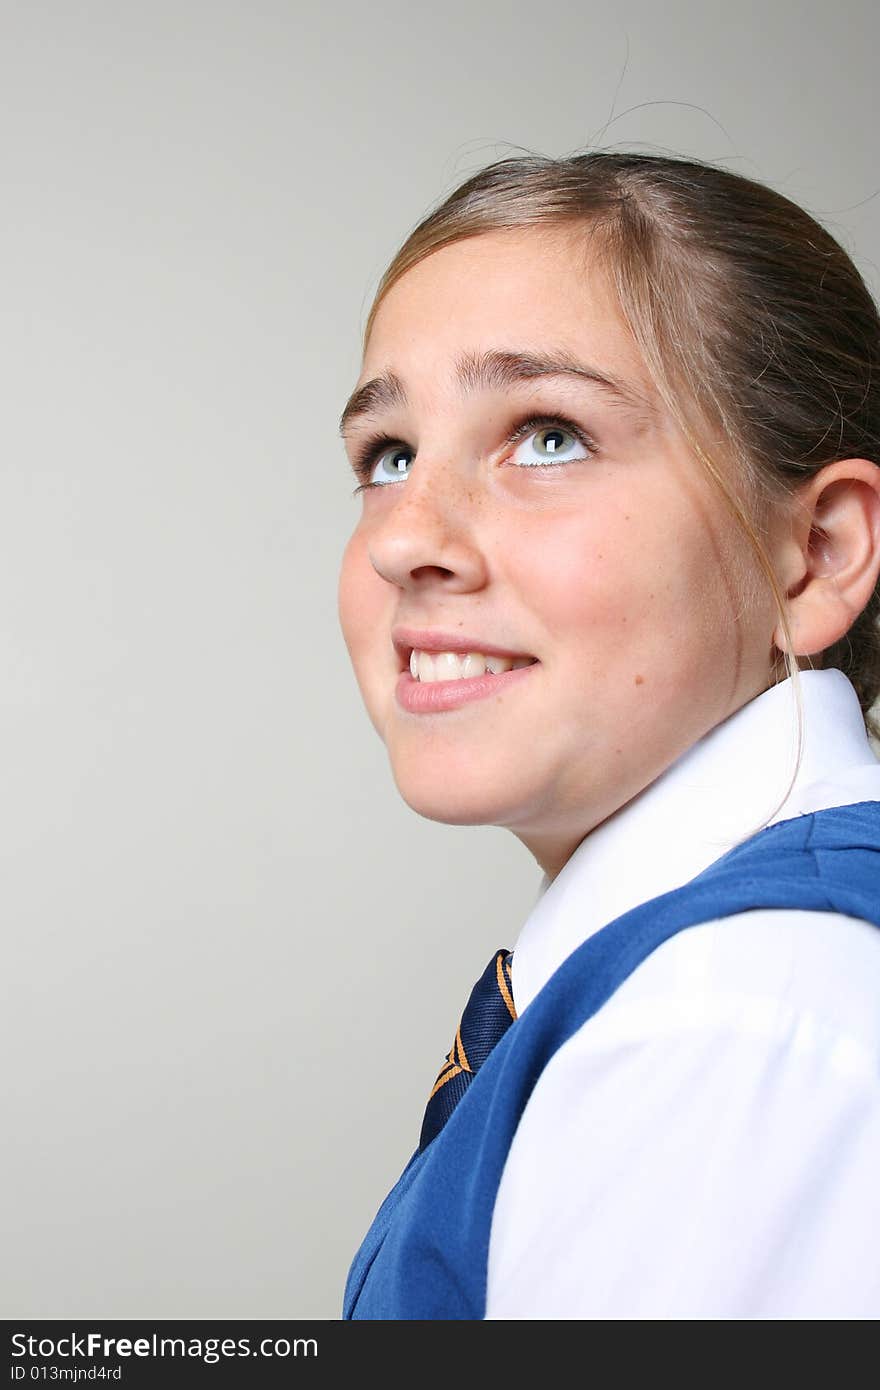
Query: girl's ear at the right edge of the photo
(829, 561)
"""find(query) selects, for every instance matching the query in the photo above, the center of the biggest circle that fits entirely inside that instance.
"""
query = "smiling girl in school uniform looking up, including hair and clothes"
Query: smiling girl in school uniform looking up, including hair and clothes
(615, 587)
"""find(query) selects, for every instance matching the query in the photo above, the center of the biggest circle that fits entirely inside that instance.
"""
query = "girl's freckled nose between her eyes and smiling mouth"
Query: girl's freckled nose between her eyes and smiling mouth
(430, 530)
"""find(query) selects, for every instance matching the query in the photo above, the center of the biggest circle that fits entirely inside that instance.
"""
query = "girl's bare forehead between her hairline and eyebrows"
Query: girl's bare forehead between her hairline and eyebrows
(539, 288)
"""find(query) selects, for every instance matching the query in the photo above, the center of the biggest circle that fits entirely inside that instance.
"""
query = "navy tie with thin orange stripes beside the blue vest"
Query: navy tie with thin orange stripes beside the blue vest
(487, 1017)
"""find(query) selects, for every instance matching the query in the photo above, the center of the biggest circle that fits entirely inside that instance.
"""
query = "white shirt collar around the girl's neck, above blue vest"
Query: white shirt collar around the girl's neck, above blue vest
(719, 792)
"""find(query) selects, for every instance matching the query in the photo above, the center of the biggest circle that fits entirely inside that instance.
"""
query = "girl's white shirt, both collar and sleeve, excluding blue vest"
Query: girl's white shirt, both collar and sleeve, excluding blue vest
(708, 1145)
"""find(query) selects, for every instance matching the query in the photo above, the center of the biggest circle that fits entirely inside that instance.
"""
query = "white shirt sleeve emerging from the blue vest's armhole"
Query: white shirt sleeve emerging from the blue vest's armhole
(722, 1106)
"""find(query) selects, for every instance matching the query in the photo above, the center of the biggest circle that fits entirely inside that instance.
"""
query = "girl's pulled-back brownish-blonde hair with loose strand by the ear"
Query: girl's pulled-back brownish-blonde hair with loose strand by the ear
(754, 323)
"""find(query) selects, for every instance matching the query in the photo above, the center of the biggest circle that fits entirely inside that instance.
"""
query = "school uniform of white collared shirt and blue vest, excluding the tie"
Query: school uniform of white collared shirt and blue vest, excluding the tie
(685, 1118)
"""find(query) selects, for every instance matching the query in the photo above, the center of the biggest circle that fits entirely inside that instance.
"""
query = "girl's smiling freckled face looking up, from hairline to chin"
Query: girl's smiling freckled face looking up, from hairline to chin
(530, 496)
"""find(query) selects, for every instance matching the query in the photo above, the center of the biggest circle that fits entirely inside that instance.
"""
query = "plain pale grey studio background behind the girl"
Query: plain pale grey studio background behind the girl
(233, 958)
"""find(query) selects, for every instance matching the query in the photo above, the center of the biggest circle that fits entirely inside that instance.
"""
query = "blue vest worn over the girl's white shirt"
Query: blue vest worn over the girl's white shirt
(426, 1253)
